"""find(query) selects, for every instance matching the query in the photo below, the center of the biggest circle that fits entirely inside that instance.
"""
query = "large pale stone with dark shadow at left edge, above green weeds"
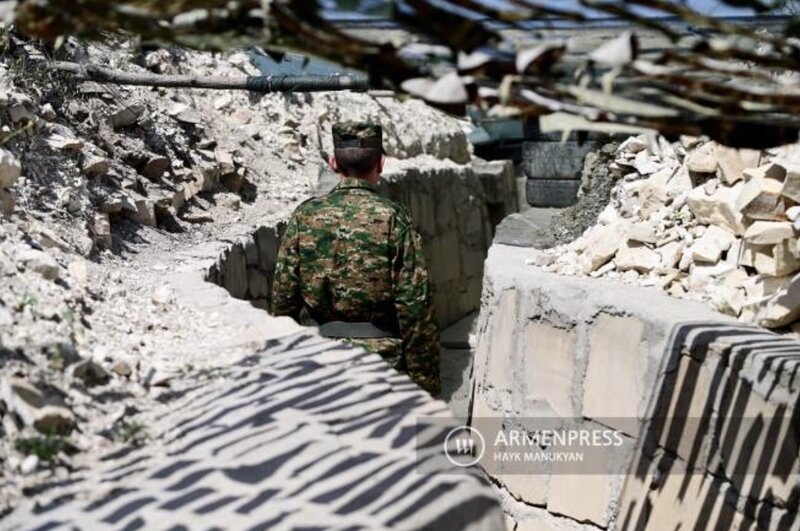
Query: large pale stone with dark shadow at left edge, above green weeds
(34, 409)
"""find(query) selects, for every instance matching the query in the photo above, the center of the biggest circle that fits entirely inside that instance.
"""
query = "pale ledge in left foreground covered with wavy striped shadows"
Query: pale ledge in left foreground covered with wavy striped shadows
(305, 434)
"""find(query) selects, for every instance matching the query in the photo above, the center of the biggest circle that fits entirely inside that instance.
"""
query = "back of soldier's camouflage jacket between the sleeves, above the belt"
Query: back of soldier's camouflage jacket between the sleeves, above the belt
(346, 244)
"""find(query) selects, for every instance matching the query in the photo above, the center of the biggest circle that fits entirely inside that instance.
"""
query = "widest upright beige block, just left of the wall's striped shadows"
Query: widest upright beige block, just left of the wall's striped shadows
(614, 387)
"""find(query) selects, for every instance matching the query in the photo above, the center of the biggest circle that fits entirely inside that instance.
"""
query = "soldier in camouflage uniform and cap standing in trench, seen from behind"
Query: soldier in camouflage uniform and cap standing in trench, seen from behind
(352, 262)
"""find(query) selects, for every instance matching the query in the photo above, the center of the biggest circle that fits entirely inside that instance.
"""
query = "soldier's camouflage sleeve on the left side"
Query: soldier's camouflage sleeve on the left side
(286, 297)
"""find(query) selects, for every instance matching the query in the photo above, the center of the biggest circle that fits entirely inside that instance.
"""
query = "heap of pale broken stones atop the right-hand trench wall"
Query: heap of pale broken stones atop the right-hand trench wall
(701, 221)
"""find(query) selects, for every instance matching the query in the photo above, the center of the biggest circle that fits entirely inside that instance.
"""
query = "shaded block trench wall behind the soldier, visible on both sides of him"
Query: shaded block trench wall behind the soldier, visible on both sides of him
(456, 209)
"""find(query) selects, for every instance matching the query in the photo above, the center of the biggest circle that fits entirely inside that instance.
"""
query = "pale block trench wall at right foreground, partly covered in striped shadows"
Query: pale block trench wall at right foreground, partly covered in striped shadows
(707, 408)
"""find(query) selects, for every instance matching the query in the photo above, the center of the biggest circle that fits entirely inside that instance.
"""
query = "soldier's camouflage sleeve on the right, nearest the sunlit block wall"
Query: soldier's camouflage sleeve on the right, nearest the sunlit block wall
(415, 313)
